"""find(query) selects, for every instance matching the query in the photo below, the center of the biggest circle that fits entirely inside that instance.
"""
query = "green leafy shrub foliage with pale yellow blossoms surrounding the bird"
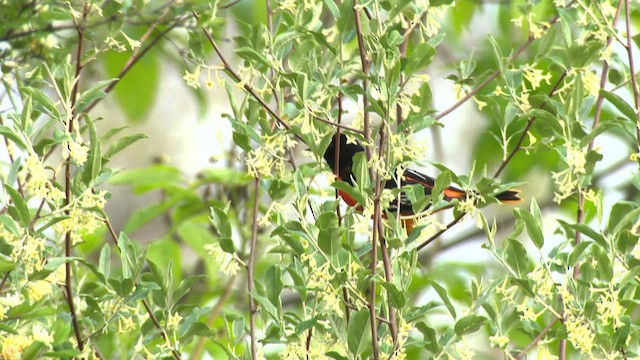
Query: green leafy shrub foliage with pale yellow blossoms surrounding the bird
(551, 82)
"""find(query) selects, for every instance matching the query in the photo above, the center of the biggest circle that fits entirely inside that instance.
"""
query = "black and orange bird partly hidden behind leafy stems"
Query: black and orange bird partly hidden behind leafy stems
(410, 177)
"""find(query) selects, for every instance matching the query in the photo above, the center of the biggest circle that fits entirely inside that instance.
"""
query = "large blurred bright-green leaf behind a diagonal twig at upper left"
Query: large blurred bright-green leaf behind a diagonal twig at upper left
(136, 91)
